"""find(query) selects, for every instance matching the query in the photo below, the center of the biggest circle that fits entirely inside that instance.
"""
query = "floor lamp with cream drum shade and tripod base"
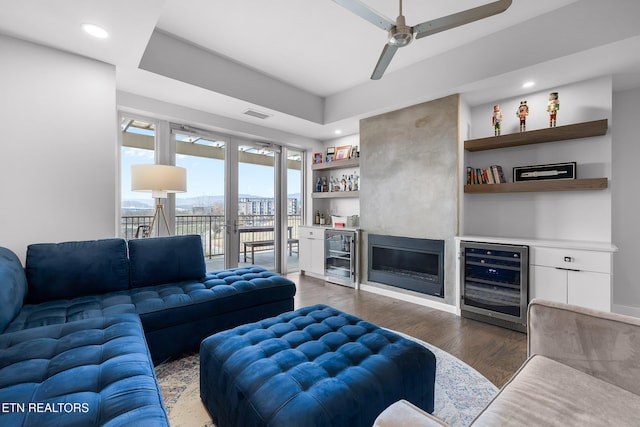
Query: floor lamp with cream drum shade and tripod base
(160, 180)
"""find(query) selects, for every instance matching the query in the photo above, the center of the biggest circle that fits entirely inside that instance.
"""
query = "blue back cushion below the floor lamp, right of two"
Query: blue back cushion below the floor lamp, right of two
(162, 260)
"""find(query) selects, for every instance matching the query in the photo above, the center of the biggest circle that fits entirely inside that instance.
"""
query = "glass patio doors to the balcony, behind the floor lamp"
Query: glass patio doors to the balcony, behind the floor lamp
(243, 197)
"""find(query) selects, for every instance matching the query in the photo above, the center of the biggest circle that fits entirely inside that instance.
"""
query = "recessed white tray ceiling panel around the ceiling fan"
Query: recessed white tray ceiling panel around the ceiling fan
(318, 45)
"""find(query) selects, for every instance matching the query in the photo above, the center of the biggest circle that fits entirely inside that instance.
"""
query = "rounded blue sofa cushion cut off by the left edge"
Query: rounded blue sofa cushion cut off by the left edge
(13, 286)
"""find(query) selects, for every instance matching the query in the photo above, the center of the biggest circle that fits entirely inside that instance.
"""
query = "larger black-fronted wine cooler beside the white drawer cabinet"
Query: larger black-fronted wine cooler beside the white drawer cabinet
(494, 283)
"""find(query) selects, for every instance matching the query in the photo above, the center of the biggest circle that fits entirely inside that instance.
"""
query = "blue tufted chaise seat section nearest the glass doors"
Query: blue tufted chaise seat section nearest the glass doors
(178, 316)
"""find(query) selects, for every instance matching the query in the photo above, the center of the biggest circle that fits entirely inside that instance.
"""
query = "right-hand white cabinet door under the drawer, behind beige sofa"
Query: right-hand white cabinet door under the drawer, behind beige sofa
(589, 289)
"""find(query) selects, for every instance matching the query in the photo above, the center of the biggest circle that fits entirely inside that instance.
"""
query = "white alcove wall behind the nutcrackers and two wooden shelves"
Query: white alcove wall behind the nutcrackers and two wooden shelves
(565, 215)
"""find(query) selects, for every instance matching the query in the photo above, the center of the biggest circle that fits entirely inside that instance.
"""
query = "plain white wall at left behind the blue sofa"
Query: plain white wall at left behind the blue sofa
(59, 146)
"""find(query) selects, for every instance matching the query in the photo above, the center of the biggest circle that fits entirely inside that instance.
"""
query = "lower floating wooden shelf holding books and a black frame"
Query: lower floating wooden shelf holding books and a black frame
(543, 185)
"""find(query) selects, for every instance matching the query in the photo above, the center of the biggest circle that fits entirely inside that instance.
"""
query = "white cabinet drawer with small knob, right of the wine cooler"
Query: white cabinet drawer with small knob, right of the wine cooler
(574, 259)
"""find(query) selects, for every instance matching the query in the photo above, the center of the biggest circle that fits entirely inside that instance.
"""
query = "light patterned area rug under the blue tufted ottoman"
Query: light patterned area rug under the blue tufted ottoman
(461, 392)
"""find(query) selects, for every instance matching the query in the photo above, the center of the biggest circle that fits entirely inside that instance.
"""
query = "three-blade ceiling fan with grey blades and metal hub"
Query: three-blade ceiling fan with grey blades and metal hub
(400, 34)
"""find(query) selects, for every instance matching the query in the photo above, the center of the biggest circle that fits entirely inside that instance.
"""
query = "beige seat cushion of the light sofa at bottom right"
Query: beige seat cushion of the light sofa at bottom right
(547, 393)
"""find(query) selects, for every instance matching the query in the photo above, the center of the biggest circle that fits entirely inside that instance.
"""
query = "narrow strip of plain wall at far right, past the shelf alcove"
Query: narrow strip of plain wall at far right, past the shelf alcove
(626, 203)
